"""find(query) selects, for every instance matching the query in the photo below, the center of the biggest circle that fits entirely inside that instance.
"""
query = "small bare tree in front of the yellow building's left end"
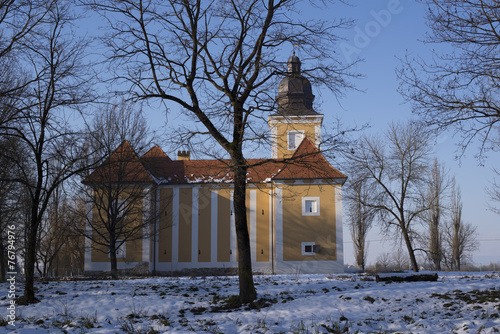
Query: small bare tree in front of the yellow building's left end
(117, 188)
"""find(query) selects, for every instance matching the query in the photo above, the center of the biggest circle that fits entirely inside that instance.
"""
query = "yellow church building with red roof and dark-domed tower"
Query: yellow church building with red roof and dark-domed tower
(294, 202)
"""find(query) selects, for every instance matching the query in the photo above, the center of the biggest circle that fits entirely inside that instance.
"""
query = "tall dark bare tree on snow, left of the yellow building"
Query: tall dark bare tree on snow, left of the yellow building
(54, 60)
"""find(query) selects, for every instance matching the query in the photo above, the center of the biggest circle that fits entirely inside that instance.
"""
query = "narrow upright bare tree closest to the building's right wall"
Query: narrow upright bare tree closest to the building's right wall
(360, 218)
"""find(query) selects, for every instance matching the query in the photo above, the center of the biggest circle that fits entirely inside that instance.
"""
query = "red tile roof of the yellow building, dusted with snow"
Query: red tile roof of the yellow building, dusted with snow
(155, 165)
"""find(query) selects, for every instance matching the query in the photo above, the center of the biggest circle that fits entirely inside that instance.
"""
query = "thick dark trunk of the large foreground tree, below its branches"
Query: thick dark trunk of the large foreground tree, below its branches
(247, 288)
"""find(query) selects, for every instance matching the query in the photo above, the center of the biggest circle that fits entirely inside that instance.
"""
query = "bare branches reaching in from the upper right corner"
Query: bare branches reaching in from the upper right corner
(459, 88)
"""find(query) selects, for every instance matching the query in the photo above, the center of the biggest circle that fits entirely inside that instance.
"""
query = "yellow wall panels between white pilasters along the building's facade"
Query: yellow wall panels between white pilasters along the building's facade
(296, 227)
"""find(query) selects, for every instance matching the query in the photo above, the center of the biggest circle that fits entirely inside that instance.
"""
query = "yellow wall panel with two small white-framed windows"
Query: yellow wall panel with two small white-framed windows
(319, 229)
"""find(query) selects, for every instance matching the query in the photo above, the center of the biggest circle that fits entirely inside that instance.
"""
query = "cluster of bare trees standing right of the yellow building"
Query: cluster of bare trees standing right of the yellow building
(394, 183)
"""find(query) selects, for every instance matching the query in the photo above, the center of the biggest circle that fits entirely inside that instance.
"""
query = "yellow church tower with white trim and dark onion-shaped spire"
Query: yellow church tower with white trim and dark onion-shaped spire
(295, 117)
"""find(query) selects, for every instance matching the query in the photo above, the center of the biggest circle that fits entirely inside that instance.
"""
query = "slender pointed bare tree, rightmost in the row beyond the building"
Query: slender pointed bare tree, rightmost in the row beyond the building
(460, 238)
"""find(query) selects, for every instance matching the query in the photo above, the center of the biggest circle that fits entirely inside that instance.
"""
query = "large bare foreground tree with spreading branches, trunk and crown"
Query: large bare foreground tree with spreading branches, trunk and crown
(219, 61)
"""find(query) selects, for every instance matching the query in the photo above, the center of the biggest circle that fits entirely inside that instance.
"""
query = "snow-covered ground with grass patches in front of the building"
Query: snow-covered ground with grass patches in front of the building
(456, 303)
